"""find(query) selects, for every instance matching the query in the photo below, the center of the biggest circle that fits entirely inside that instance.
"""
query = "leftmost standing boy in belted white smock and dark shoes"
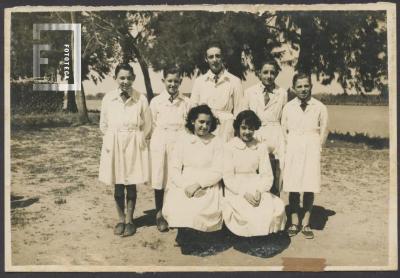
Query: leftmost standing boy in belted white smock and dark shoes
(125, 121)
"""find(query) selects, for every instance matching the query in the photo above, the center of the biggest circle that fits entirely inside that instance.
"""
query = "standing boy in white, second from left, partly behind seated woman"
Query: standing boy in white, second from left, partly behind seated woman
(169, 110)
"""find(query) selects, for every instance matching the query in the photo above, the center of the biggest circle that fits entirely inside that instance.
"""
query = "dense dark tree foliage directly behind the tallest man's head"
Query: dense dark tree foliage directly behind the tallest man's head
(180, 38)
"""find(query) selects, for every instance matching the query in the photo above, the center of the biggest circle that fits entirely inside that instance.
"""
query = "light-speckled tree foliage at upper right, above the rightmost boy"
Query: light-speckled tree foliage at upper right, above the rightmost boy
(350, 43)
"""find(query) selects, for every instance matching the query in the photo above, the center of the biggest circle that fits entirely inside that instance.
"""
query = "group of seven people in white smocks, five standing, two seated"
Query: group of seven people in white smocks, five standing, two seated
(221, 157)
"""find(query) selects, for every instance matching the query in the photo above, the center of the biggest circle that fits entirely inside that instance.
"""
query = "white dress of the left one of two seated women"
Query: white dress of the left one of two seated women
(195, 161)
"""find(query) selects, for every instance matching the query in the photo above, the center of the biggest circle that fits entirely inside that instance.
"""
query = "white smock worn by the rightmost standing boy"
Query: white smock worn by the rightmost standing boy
(305, 133)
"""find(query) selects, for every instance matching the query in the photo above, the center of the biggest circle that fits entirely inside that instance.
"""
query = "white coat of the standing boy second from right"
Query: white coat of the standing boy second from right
(270, 115)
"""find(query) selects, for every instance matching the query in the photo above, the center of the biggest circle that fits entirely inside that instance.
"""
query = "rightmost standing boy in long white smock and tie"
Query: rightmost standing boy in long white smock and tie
(304, 121)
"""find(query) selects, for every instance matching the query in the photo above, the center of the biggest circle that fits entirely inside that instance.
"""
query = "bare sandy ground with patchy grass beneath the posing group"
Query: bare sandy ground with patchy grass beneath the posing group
(67, 216)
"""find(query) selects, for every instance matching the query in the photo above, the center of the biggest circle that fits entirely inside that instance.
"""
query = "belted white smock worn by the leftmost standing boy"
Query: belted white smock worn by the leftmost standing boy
(124, 153)
